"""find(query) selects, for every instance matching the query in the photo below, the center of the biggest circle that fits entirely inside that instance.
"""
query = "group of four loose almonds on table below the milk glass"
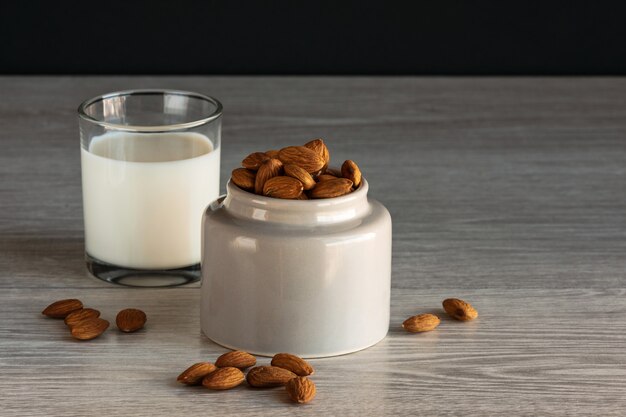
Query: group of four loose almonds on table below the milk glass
(86, 324)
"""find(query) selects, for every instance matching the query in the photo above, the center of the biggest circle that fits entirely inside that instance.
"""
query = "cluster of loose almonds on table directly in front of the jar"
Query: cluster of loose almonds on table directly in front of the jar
(285, 370)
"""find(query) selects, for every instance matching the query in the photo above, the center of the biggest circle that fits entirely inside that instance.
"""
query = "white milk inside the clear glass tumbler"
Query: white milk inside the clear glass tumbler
(144, 195)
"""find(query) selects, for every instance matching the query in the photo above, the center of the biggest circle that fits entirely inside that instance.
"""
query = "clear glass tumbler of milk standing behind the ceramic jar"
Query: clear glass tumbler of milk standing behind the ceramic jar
(150, 166)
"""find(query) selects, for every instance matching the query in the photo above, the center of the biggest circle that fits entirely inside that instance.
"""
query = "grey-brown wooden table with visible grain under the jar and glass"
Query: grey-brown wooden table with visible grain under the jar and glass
(507, 192)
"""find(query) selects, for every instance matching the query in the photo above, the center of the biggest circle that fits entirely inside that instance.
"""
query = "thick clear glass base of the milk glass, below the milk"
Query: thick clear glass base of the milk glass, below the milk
(142, 277)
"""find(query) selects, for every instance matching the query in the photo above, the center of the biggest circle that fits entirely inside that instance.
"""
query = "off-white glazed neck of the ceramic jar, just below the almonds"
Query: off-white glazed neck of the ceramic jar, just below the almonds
(305, 213)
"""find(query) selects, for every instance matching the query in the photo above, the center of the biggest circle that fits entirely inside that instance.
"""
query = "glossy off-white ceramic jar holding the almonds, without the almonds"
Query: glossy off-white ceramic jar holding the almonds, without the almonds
(309, 277)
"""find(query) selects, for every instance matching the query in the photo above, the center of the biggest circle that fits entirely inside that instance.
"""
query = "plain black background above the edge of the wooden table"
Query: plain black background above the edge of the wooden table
(298, 37)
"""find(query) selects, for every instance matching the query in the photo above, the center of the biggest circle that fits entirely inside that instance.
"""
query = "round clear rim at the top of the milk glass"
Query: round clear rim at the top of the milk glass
(151, 128)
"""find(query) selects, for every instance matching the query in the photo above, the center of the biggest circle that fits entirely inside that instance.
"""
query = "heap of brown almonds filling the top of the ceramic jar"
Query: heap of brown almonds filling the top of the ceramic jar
(297, 173)
